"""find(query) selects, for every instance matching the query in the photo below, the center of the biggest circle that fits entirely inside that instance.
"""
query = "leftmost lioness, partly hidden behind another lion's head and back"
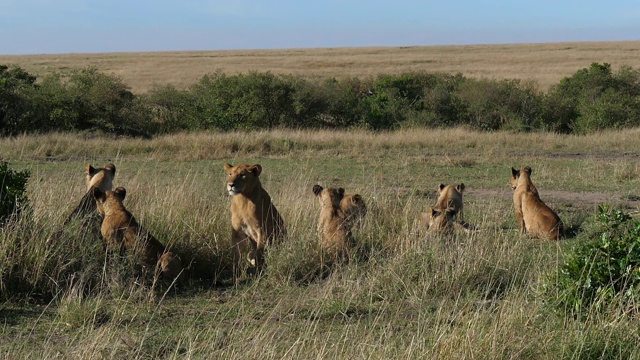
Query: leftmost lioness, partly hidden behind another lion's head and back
(101, 178)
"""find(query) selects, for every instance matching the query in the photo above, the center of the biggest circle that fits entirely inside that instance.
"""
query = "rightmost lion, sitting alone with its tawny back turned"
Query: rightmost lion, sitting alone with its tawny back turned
(532, 214)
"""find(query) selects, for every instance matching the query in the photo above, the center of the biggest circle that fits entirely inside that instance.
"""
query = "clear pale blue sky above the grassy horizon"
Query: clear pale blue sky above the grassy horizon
(94, 26)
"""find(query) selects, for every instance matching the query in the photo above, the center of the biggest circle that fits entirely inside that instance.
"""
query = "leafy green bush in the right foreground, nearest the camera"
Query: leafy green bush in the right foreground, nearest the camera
(598, 272)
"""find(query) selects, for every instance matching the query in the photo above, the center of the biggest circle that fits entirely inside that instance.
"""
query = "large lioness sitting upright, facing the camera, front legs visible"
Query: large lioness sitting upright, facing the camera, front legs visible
(255, 221)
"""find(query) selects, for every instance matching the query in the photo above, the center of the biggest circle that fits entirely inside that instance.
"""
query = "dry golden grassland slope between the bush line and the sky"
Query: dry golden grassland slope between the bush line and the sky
(544, 64)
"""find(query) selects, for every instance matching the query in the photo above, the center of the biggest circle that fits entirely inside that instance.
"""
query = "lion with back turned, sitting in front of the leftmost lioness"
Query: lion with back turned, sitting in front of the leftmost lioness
(121, 231)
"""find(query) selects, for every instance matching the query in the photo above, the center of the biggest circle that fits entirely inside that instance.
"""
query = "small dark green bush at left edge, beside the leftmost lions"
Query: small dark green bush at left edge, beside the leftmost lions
(13, 187)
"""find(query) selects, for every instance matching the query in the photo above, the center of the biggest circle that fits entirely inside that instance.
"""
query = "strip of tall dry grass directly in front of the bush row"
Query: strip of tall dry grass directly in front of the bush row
(316, 143)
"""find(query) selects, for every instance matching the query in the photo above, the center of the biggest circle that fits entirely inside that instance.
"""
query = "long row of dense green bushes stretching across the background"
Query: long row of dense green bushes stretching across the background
(592, 99)
